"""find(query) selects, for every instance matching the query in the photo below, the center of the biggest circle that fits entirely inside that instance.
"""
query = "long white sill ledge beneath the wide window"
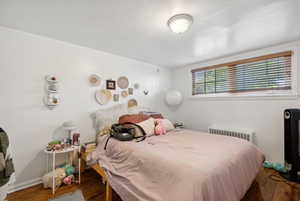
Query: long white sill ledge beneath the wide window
(254, 97)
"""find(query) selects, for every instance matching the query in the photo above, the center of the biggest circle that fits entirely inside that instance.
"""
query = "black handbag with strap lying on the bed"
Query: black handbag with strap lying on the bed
(125, 132)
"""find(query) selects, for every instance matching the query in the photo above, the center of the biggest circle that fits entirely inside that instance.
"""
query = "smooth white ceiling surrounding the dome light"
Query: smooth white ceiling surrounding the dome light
(137, 28)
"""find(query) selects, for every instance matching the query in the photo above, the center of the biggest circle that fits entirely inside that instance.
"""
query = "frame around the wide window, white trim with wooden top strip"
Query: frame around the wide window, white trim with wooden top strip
(291, 92)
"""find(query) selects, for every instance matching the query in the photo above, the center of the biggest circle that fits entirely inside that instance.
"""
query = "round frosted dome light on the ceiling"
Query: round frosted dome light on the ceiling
(180, 23)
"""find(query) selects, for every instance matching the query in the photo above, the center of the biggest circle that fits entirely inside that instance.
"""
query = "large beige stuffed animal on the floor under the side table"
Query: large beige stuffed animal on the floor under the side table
(59, 174)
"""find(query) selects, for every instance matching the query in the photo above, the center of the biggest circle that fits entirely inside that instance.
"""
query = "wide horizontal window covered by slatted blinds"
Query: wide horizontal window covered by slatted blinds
(269, 72)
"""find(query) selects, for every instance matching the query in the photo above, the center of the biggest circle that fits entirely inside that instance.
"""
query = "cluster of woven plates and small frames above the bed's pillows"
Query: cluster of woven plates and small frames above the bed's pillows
(114, 91)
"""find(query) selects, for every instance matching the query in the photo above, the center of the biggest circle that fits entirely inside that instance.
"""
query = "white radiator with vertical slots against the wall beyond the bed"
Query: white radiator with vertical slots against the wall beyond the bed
(239, 133)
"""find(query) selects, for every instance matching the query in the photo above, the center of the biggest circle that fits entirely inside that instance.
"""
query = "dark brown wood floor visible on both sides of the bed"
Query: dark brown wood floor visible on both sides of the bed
(264, 188)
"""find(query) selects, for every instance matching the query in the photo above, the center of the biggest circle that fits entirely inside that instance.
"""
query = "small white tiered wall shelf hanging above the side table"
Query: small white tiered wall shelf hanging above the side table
(51, 98)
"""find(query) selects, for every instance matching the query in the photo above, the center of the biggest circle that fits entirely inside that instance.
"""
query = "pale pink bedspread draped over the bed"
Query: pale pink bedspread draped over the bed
(183, 165)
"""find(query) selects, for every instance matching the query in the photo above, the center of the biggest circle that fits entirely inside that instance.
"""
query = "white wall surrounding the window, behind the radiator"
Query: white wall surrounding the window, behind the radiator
(264, 115)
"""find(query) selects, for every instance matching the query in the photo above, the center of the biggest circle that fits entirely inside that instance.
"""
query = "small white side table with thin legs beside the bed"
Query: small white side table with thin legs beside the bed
(69, 152)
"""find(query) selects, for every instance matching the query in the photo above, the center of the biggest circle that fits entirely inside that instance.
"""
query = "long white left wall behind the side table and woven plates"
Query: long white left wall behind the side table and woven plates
(25, 59)
